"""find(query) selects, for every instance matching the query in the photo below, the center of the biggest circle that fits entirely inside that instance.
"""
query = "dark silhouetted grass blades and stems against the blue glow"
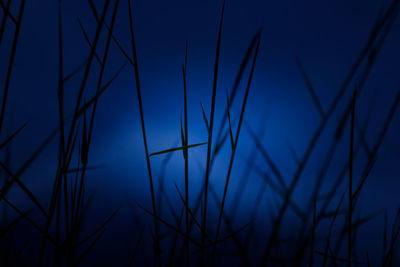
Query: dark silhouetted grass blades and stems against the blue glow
(196, 236)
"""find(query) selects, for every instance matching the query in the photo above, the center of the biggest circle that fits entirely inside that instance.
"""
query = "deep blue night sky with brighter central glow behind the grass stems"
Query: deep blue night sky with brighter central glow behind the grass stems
(327, 37)
